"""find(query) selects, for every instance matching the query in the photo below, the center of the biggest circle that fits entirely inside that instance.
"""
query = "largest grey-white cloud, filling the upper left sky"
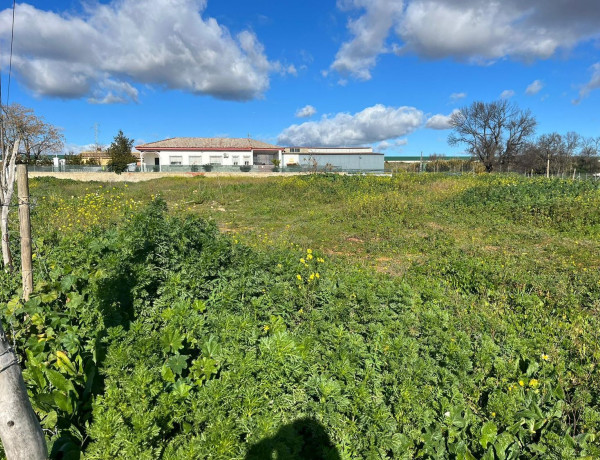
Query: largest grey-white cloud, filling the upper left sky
(102, 53)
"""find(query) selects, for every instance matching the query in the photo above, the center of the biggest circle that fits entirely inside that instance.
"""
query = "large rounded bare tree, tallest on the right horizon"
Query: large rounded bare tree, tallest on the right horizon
(494, 132)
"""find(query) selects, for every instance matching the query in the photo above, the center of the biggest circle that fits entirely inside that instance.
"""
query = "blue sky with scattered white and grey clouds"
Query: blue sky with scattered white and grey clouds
(386, 73)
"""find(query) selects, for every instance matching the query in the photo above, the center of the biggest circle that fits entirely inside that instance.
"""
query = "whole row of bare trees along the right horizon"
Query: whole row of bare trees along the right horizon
(501, 137)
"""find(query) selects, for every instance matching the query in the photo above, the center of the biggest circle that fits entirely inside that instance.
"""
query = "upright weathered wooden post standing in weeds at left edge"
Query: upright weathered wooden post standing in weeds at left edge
(25, 230)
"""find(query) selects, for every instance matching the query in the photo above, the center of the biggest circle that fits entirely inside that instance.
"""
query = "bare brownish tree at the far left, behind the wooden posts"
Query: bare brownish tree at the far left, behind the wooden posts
(37, 137)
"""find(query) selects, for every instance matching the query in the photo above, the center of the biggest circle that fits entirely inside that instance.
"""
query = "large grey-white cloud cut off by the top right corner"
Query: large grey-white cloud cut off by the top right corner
(475, 31)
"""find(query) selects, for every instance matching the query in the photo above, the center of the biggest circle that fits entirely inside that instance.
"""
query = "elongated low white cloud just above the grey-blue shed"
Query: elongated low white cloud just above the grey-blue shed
(373, 124)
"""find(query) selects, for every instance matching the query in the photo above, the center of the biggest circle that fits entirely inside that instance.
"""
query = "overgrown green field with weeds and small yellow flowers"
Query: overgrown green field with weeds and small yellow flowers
(322, 316)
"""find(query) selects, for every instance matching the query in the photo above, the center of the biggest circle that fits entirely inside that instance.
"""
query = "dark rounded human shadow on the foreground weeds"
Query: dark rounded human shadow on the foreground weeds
(303, 439)
